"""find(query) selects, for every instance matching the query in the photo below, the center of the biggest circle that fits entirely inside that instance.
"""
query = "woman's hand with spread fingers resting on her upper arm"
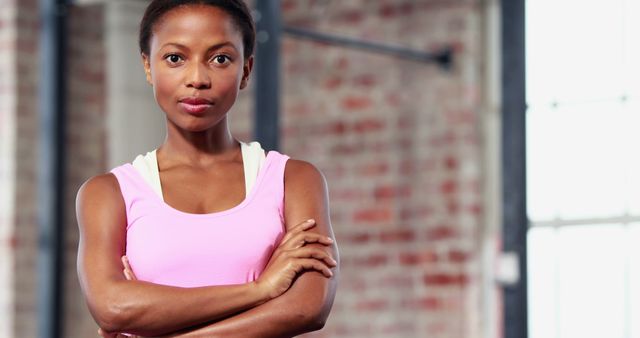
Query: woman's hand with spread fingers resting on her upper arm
(292, 256)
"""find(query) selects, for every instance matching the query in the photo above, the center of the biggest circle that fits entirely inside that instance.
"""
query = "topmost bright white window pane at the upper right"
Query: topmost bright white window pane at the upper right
(574, 50)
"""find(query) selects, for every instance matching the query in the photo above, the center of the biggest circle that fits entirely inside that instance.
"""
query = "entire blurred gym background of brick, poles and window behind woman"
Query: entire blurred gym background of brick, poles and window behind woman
(479, 155)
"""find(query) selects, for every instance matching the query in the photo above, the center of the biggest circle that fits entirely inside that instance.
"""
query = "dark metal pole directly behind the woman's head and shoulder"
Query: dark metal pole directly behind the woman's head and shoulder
(267, 73)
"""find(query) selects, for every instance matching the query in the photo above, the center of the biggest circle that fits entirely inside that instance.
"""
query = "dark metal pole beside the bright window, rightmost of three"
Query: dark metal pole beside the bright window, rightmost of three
(515, 222)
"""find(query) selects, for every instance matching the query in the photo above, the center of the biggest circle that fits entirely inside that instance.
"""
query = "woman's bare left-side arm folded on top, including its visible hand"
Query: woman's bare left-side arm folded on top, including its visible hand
(147, 309)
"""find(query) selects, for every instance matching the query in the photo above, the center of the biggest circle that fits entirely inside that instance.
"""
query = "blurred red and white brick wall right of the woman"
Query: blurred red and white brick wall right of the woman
(399, 143)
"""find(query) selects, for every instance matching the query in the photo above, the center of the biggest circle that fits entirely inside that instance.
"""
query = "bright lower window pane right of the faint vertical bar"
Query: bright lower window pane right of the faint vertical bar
(591, 281)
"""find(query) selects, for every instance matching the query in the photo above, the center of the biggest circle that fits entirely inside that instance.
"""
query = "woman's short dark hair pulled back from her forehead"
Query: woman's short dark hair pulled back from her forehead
(237, 9)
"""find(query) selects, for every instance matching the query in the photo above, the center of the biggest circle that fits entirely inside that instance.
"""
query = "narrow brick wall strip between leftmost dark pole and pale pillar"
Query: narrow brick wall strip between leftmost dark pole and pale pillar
(86, 144)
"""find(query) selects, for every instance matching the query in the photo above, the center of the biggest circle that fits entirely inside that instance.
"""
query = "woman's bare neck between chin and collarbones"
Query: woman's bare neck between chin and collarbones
(199, 148)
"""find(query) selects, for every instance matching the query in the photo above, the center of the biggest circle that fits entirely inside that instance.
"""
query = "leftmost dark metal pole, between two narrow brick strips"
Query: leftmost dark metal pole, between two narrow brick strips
(51, 168)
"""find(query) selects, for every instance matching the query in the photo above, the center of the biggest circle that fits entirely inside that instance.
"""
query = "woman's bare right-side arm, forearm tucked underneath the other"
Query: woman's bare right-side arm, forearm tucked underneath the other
(306, 305)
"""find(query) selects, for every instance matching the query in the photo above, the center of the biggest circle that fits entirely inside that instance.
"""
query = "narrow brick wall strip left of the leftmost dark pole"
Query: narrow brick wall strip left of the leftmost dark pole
(26, 155)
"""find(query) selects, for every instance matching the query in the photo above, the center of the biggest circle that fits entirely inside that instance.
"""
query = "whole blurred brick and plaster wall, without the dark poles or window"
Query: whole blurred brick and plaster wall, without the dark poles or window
(409, 150)
